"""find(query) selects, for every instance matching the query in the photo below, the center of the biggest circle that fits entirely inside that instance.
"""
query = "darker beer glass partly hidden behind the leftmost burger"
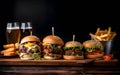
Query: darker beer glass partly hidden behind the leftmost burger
(26, 29)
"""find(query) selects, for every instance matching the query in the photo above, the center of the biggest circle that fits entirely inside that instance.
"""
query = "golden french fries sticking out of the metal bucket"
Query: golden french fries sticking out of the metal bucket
(103, 35)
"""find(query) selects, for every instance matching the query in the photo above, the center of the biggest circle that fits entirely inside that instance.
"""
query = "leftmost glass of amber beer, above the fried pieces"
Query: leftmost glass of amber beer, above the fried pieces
(13, 32)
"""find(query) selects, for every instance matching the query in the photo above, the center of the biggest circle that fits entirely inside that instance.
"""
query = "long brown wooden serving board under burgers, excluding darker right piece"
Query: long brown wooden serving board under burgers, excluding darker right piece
(62, 62)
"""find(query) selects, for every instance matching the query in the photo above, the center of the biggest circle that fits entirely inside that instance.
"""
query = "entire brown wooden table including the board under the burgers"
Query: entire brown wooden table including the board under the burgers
(58, 67)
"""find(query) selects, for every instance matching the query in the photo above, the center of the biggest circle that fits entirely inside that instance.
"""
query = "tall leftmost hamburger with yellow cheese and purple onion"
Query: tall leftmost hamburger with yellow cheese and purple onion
(30, 48)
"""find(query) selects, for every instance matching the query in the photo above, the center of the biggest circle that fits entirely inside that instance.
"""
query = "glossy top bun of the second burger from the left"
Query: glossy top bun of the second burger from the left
(53, 39)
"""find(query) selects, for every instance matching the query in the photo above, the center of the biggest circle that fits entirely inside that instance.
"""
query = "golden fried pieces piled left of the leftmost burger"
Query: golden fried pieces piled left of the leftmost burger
(10, 49)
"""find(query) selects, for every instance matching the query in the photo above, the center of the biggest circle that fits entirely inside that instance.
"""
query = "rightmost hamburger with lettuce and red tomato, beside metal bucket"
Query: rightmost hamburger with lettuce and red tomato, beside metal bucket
(93, 49)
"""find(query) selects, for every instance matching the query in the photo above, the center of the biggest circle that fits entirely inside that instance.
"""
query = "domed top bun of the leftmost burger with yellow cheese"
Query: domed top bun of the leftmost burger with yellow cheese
(30, 38)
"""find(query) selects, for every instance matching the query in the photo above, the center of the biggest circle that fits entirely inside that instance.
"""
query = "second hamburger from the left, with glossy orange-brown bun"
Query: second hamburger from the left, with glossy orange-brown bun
(52, 47)
